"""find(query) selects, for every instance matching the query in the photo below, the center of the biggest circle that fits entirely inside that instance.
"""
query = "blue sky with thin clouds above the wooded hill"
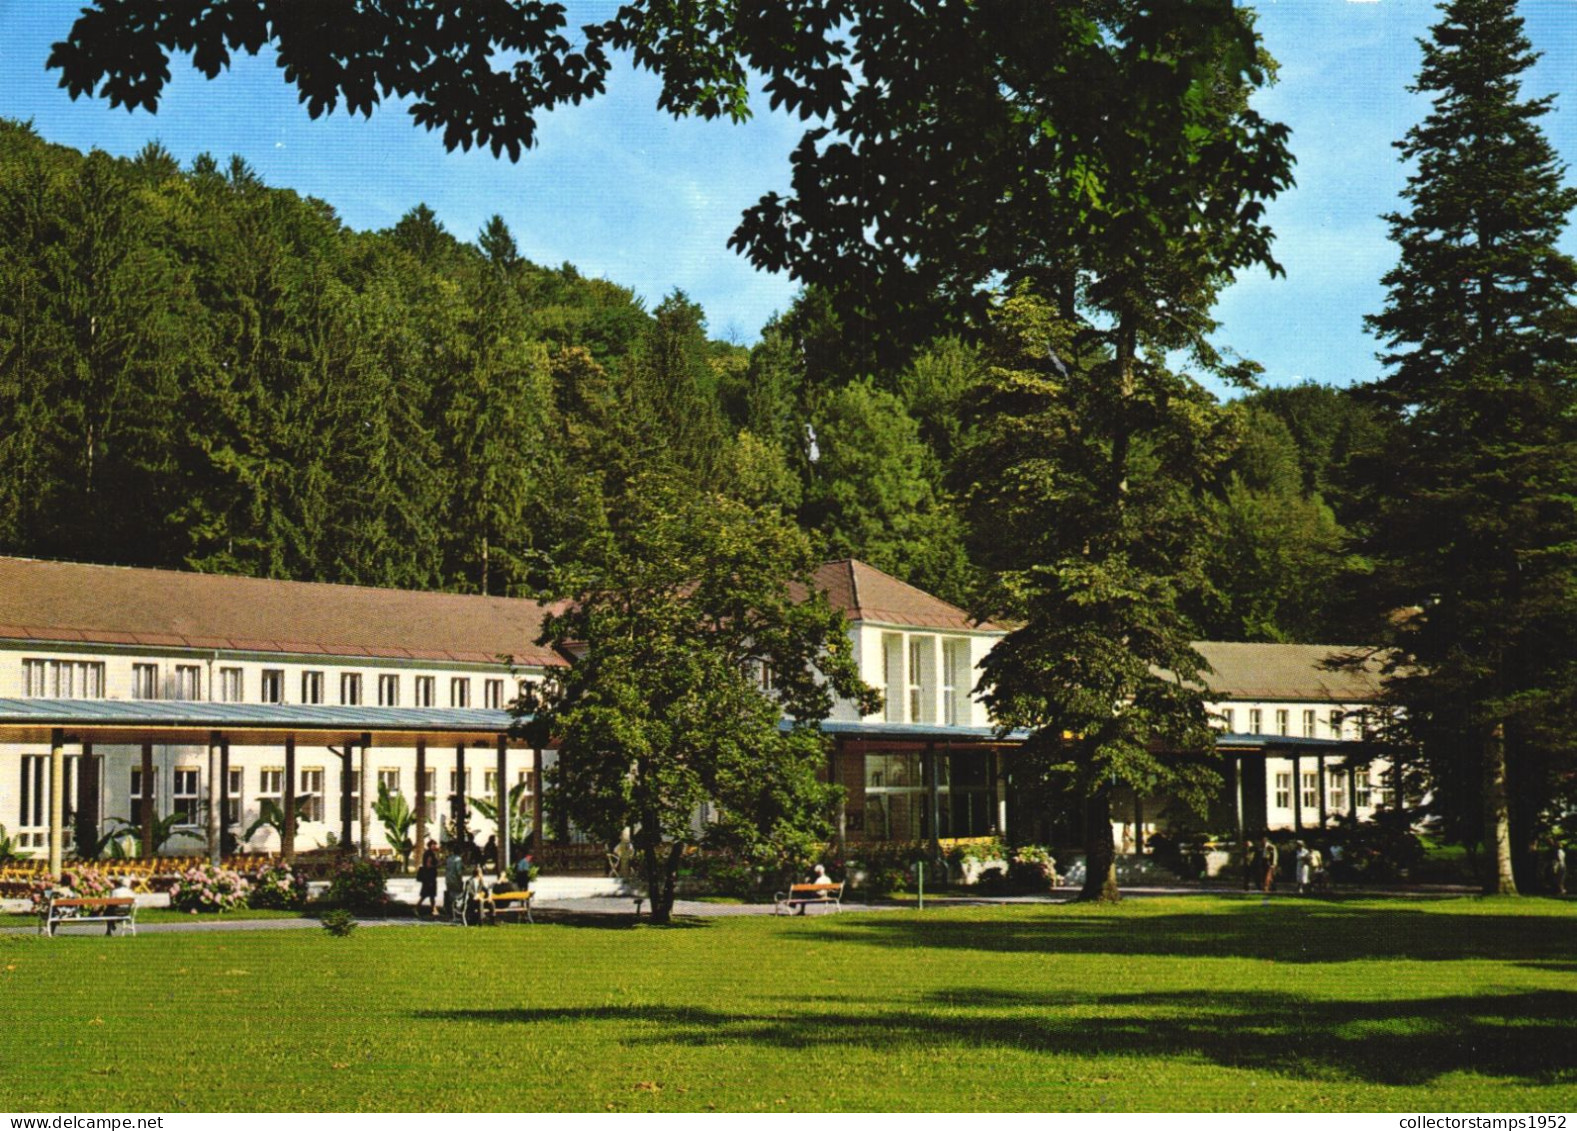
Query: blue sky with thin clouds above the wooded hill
(628, 193)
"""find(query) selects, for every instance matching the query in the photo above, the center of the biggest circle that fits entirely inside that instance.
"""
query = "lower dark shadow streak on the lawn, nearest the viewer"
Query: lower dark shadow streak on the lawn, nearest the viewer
(1527, 1037)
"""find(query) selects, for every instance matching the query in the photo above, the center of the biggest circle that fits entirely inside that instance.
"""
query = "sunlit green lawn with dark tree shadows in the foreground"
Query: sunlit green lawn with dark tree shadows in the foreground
(1210, 1002)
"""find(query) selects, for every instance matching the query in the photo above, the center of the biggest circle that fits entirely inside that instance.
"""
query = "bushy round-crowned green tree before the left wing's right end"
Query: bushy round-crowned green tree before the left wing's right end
(666, 706)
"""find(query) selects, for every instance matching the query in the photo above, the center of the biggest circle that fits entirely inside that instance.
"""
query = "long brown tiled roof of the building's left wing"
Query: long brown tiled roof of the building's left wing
(163, 608)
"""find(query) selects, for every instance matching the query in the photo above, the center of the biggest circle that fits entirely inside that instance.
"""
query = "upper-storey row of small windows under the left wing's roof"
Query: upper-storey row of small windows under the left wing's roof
(76, 679)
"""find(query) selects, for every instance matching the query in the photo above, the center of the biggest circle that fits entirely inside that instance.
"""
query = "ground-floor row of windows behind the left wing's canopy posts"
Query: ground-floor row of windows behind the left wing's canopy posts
(187, 794)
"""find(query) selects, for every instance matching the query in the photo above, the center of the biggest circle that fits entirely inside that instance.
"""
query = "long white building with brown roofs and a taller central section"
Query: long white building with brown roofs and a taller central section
(214, 695)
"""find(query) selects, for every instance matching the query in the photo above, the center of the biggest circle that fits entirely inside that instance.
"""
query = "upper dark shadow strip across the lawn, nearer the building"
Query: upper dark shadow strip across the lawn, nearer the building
(1284, 931)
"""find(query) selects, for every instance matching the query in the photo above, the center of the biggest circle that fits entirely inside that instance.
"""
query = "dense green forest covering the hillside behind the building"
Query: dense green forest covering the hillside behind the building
(201, 371)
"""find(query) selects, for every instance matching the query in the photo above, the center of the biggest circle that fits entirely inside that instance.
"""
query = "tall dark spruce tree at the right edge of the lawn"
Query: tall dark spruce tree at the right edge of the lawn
(1477, 526)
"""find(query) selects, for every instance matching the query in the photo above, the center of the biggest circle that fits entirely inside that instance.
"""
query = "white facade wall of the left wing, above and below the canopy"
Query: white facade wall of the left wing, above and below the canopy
(181, 772)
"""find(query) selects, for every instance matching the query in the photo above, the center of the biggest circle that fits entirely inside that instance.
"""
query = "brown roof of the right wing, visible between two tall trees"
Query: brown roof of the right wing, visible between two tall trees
(1291, 671)
